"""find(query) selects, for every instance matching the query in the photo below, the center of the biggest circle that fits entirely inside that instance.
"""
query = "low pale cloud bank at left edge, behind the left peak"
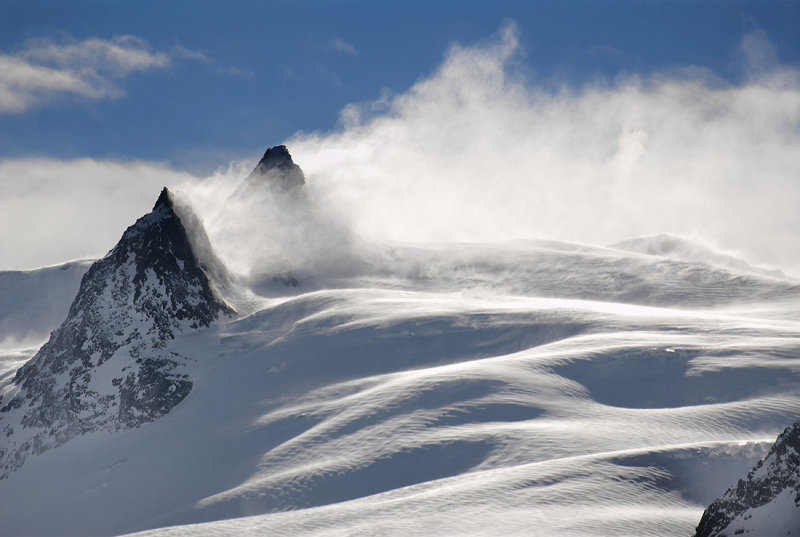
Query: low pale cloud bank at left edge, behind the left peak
(53, 210)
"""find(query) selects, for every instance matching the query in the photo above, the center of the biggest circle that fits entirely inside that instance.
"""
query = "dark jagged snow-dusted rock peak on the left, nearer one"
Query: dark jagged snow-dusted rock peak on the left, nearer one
(107, 367)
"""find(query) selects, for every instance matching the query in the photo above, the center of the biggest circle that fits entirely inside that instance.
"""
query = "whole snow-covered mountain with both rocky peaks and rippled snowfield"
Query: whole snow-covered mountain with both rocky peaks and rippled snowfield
(531, 388)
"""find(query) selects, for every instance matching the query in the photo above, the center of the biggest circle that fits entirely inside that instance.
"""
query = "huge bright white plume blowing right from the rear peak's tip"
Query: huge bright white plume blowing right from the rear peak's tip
(478, 152)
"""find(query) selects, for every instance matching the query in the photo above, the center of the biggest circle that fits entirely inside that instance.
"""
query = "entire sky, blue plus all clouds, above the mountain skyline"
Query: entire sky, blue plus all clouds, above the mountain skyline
(588, 121)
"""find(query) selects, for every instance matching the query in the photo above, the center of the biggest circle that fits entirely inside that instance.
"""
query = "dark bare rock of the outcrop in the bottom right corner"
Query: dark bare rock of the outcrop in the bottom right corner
(778, 472)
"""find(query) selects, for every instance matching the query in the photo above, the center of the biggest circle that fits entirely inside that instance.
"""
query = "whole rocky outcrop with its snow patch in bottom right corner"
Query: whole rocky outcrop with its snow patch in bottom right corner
(767, 500)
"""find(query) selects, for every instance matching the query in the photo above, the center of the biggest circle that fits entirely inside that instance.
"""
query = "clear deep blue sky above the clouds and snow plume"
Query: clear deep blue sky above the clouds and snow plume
(242, 75)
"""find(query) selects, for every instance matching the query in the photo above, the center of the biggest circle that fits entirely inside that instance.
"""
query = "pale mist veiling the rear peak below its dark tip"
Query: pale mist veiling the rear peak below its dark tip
(274, 236)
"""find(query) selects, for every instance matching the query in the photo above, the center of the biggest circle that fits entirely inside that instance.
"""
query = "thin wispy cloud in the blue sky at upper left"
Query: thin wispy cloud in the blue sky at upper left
(92, 69)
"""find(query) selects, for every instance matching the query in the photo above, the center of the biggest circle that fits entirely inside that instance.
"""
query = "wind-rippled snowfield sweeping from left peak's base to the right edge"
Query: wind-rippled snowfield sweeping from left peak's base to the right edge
(553, 390)
